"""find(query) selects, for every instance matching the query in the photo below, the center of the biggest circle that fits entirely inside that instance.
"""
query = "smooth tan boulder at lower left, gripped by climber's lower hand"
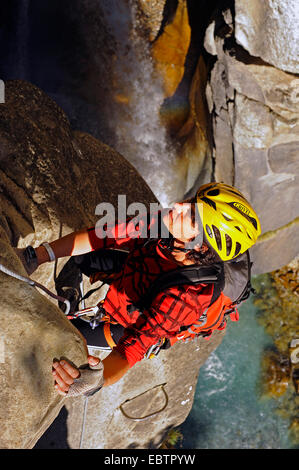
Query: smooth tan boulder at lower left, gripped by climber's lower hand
(33, 332)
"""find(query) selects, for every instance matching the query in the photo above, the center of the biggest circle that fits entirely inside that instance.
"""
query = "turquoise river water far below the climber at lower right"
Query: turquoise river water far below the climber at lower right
(228, 412)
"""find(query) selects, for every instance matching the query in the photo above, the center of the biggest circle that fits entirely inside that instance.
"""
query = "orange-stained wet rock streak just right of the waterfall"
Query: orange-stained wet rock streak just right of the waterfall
(184, 111)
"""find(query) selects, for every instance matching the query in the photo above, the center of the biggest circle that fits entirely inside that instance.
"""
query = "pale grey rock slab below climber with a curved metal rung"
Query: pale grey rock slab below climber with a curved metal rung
(113, 417)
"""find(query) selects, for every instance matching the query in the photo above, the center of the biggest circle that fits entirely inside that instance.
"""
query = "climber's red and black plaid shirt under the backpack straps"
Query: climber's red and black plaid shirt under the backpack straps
(171, 310)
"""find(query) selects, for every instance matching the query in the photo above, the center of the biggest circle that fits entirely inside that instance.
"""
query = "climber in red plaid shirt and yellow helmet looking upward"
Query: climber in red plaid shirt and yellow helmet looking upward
(226, 227)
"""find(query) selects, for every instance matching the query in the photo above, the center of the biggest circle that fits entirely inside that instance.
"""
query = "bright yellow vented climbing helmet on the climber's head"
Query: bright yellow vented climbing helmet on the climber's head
(229, 222)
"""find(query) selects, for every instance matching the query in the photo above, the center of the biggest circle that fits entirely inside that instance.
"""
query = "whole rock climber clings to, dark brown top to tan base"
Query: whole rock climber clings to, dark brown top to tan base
(51, 180)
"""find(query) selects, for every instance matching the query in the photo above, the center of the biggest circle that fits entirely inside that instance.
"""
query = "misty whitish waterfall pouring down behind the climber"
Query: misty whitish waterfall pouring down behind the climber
(136, 102)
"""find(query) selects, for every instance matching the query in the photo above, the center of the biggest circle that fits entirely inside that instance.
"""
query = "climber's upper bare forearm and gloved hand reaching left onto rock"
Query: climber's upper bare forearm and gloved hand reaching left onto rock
(76, 243)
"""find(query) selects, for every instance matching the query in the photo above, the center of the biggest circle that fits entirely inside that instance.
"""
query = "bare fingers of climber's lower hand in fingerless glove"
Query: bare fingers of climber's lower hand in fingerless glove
(64, 374)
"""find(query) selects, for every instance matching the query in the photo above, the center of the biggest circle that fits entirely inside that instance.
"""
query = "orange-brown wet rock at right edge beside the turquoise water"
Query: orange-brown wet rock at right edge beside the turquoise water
(278, 302)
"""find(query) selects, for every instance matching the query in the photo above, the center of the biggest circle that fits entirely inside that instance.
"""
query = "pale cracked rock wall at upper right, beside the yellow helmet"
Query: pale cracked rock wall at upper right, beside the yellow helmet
(254, 108)
